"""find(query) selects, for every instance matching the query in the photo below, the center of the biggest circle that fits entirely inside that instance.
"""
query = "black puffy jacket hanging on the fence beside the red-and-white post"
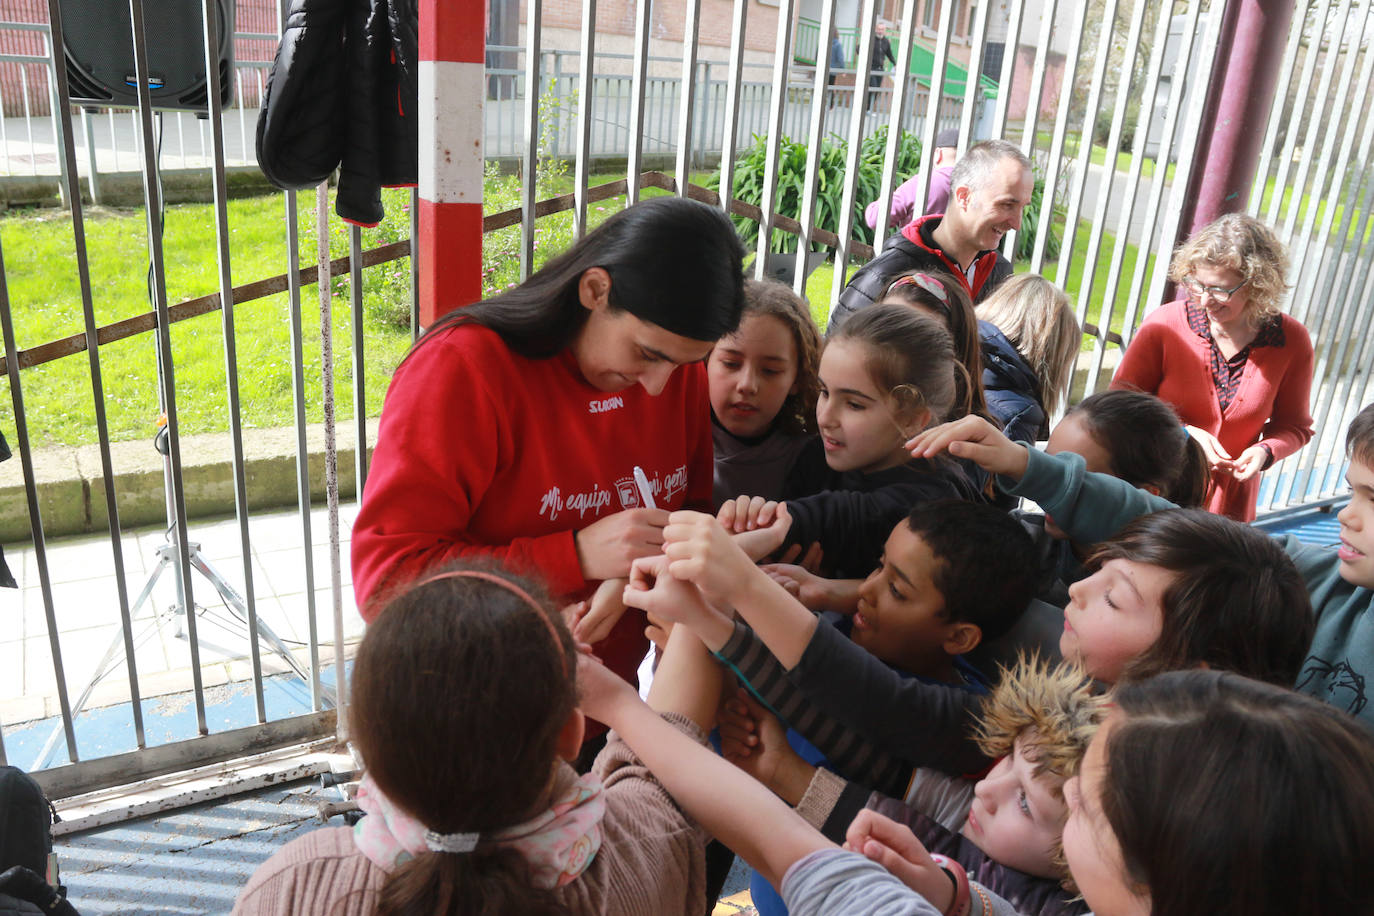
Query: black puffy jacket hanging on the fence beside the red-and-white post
(343, 94)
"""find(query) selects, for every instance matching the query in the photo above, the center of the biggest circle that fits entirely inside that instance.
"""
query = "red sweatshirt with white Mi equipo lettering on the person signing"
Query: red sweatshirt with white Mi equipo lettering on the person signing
(483, 451)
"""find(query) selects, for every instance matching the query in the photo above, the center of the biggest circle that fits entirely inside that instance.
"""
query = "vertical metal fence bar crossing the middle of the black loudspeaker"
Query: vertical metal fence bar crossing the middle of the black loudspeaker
(153, 201)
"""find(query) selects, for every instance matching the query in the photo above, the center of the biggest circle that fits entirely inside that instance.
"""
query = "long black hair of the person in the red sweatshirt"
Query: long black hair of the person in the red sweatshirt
(673, 262)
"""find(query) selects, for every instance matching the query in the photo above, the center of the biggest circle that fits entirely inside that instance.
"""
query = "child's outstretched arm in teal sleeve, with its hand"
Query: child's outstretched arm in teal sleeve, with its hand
(1088, 507)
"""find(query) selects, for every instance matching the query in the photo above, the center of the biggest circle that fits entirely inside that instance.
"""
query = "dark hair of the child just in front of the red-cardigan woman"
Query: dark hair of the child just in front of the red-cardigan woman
(1148, 444)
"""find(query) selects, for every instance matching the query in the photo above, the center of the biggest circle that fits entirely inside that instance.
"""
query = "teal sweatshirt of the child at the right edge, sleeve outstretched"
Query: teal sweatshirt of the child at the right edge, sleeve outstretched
(1093, 507)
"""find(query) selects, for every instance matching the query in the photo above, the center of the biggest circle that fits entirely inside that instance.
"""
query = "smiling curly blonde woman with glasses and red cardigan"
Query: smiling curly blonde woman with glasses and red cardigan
(1235, 367)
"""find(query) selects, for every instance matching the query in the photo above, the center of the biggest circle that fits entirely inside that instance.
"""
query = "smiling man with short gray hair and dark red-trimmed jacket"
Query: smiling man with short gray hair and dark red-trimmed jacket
(989, 190)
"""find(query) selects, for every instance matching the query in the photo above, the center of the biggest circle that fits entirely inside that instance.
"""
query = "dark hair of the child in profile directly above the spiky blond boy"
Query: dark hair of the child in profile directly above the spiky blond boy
(1237, 604)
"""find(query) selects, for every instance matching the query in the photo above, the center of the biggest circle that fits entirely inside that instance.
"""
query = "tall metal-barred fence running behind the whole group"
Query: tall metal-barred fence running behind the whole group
(1112, 214)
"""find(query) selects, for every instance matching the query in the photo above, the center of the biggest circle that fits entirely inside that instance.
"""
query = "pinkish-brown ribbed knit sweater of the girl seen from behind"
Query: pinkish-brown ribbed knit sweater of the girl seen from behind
(652, 859)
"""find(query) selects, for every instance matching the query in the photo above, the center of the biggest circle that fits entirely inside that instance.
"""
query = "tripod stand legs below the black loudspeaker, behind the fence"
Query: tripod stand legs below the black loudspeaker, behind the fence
(167, 554)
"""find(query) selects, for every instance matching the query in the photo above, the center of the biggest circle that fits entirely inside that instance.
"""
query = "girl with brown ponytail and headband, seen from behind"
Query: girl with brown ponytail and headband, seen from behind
(465, 711)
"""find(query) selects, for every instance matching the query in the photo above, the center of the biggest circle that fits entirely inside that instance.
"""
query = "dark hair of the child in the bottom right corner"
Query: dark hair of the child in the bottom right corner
(1224, 789)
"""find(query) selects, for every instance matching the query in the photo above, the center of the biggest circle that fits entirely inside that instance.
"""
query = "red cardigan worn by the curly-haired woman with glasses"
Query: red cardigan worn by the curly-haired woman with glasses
(1272, 406)
